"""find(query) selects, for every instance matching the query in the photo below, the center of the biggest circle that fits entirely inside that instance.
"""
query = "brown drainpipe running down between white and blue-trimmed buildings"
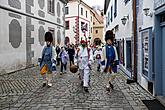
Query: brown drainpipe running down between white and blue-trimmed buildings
(134, 78)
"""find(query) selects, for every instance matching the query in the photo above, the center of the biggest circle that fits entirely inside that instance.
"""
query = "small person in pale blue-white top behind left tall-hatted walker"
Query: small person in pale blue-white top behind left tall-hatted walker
(64, 58)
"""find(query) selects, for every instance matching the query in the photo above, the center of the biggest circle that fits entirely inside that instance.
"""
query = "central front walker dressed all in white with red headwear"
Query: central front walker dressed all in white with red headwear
(83, 59)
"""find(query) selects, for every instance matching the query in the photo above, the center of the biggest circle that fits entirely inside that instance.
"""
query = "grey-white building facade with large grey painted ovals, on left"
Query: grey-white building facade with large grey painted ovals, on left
(22, 27)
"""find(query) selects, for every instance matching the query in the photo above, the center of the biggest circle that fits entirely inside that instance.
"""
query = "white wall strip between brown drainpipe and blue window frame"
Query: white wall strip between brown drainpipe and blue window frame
(143, 22)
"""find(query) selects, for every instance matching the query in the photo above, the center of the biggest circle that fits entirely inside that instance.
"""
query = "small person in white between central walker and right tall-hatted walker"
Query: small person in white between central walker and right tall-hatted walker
(97, 55)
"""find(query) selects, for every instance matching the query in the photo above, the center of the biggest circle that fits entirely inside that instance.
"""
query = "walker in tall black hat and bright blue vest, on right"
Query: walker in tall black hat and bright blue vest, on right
(109, 59)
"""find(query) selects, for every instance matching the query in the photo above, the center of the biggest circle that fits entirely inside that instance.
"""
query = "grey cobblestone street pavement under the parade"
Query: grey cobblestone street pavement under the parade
(23, 91)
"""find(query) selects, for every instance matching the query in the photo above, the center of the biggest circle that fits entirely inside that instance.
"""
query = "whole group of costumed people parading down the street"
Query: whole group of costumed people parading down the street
(82, 56)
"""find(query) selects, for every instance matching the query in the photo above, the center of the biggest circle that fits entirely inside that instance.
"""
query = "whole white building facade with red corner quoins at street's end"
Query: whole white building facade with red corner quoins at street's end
(77, 18)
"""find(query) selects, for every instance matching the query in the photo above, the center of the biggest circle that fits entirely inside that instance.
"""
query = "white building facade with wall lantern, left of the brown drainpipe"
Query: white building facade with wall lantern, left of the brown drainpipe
(119, 19)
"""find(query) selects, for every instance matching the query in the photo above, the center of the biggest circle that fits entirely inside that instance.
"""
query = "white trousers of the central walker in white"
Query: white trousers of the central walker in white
(84, 74)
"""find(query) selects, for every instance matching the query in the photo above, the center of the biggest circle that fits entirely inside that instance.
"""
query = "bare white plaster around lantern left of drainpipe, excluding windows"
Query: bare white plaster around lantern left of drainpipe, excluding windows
(124, 31)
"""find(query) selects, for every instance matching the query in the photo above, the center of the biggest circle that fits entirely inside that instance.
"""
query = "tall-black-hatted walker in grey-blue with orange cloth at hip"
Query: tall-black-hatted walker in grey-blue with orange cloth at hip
(48, 59)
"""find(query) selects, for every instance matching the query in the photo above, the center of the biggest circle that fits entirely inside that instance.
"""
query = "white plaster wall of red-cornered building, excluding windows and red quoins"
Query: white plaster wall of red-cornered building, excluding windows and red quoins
(73, 15)
